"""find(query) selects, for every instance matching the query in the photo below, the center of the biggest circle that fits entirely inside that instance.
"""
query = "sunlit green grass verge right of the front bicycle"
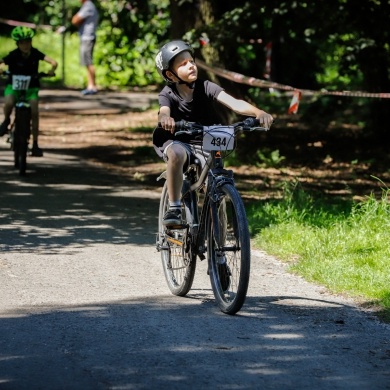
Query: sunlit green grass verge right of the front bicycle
(342, 245)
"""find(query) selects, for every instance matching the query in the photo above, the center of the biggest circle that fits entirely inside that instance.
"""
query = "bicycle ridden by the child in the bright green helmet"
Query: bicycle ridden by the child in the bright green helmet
(20, 130)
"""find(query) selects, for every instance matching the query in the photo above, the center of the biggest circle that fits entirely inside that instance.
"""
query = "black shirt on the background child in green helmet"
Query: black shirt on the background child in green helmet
(28, 66)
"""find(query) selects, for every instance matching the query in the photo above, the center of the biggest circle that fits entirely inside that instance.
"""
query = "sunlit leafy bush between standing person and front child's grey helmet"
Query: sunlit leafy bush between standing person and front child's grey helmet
(128, 41)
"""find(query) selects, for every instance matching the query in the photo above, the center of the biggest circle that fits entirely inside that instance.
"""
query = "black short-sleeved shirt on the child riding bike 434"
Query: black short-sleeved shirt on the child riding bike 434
(201, 109)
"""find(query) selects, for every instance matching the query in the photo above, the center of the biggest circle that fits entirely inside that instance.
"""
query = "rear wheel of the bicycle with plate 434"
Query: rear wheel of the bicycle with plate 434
(178, 265)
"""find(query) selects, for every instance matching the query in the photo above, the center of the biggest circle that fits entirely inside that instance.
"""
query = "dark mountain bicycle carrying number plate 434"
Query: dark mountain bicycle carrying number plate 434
(213, 220)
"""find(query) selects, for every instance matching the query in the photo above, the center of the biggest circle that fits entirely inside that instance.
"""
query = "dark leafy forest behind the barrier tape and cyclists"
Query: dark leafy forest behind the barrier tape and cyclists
(322, 44)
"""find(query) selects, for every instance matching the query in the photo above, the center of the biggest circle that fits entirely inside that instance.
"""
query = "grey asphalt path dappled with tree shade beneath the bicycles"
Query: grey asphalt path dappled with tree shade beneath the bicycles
(84, 303)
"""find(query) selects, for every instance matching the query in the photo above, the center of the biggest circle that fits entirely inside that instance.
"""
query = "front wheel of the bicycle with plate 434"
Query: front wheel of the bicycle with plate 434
(229, 267)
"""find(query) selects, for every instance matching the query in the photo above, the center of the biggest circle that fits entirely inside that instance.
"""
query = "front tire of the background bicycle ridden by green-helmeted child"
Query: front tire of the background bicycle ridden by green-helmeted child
(22, 135)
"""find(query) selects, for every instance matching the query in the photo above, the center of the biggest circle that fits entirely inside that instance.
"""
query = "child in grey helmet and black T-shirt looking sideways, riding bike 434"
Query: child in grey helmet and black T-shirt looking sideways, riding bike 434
(187, 98)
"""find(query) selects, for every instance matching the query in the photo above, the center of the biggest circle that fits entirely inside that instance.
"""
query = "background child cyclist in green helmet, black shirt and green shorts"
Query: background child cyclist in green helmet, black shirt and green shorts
(24, 61)
